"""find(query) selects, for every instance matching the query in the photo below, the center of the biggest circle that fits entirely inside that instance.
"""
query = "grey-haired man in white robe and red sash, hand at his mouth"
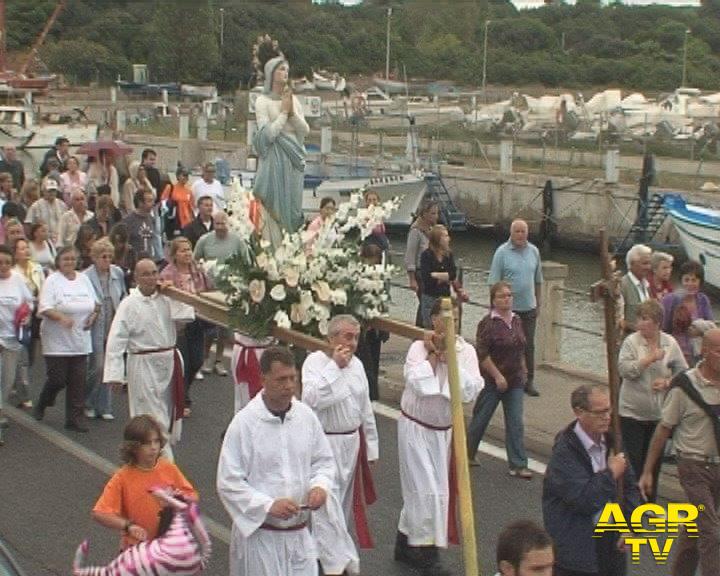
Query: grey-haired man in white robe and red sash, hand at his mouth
(336, 388)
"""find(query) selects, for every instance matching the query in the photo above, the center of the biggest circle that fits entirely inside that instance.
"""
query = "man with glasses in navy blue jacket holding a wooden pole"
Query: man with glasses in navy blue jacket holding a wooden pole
(581, 478)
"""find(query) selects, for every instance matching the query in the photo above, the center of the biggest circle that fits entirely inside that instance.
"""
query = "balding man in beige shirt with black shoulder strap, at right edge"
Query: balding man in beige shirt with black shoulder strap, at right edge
(689, 413)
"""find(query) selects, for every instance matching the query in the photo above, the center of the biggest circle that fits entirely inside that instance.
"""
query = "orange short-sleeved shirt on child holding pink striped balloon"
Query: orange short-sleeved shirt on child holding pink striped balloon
(127, 495)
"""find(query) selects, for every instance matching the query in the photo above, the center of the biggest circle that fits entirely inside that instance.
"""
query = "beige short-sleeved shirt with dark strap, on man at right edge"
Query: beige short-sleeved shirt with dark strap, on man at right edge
(693, 430)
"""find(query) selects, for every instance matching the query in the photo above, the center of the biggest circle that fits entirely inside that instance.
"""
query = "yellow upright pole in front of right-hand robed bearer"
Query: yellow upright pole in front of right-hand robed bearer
(467, 520)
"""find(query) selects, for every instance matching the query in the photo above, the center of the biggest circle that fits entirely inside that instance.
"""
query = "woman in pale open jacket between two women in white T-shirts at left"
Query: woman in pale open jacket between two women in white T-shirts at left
(33, 275)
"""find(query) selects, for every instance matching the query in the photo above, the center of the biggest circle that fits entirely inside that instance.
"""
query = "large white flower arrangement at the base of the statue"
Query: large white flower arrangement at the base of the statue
(307, 278)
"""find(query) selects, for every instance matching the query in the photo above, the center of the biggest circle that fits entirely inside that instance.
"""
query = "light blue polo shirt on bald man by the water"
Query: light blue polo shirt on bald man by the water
(522, 268)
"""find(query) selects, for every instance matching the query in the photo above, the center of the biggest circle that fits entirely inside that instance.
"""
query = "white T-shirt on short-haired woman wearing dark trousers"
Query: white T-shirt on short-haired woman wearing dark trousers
(75, 298)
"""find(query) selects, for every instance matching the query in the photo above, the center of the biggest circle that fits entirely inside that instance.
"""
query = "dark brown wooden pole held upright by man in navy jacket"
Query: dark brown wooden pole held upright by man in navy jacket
(609, 288)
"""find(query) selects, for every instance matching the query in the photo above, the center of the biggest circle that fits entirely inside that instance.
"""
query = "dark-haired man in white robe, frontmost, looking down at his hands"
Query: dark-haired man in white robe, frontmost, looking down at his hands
(275, 467)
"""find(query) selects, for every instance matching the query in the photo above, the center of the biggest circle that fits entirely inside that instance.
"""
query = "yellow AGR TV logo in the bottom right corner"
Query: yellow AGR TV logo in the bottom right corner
(653, 520)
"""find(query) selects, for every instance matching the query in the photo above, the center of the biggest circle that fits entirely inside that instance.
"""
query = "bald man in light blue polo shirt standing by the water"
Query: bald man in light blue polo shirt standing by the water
(518, 261)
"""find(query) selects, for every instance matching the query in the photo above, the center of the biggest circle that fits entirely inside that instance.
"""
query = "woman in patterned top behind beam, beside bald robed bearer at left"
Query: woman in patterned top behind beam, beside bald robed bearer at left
(185, 275)
